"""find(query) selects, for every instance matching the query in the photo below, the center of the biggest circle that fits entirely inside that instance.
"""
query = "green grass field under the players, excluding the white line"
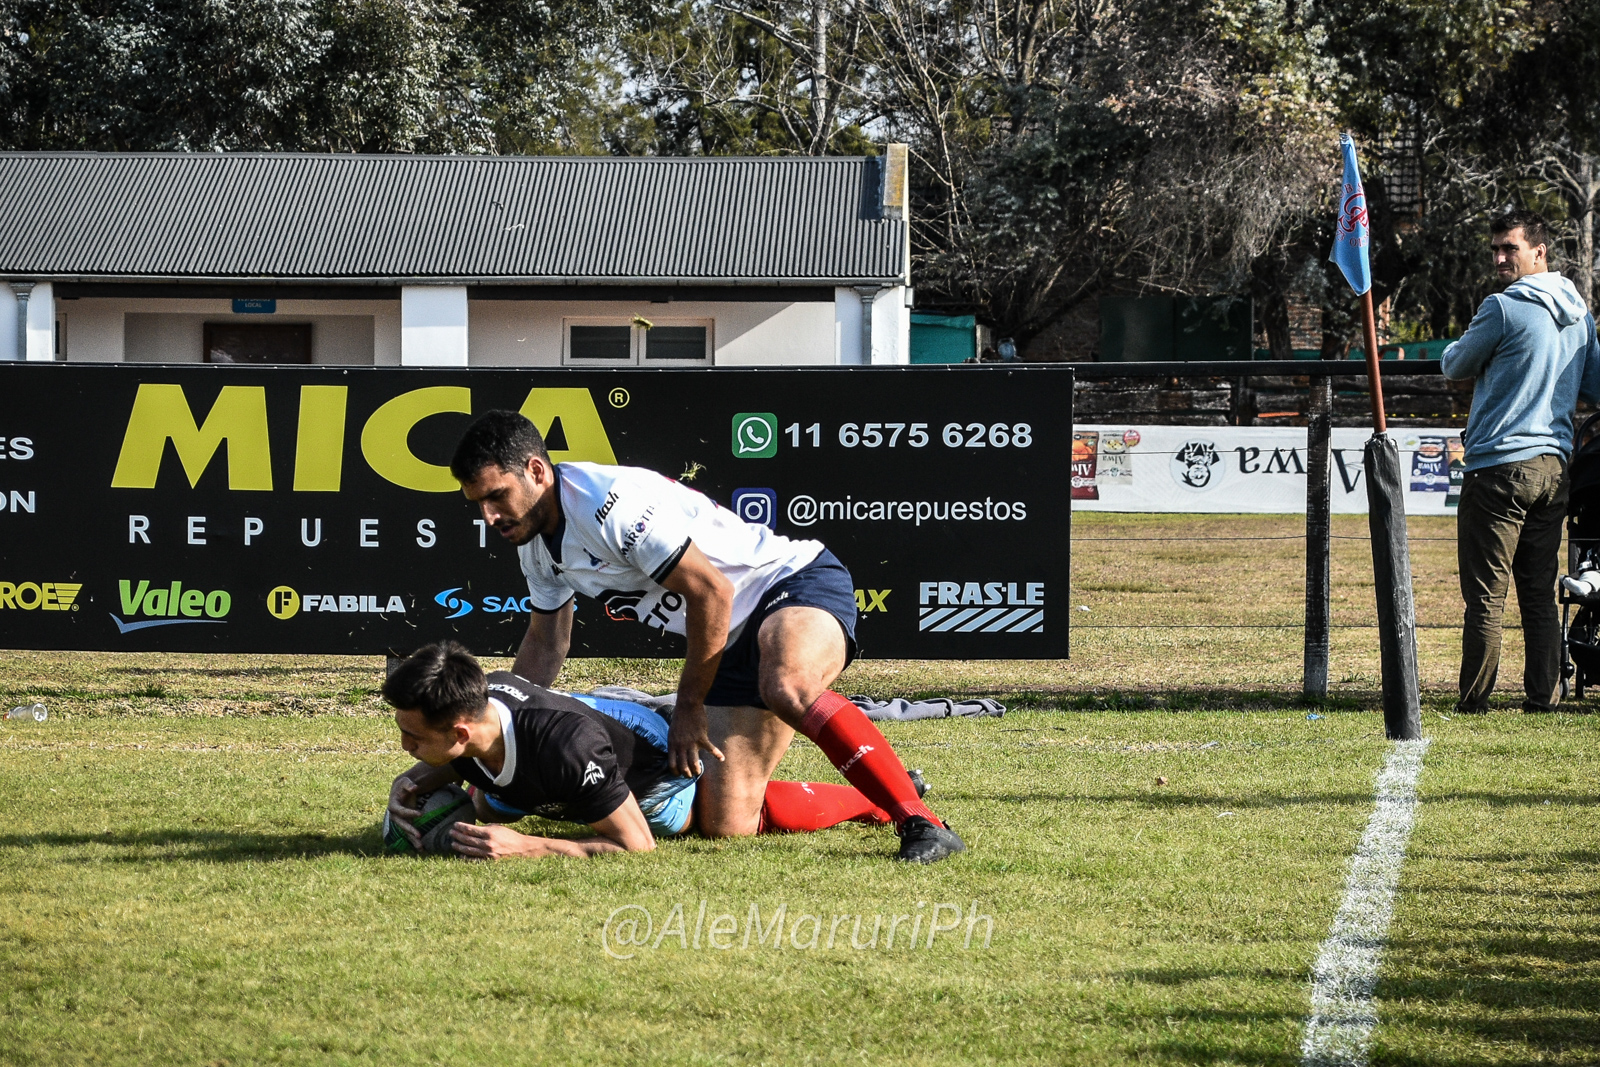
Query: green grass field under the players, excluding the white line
(193, 876)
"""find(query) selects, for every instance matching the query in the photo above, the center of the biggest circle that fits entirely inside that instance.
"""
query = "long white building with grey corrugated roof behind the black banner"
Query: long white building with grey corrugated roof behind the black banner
(455, 262)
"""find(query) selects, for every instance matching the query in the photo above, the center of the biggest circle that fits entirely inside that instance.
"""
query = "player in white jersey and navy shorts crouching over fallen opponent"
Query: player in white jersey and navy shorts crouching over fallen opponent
(769, 623)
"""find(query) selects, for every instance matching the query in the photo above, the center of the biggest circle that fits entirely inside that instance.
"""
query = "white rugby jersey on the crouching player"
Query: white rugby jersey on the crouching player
(625, 529)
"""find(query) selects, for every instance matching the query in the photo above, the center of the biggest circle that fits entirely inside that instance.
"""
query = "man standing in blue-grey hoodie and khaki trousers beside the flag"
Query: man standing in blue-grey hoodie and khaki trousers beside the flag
(1532, 353)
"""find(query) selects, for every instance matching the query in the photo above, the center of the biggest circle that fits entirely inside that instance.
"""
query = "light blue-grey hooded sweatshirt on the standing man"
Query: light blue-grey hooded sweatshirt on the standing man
(1534, 354)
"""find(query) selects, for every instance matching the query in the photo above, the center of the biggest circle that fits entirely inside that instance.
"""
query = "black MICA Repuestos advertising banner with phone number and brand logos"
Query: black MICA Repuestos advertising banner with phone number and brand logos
(311, 510)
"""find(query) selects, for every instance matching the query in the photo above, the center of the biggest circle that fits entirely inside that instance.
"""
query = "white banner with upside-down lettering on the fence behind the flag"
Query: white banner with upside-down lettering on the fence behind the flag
(1249, 470)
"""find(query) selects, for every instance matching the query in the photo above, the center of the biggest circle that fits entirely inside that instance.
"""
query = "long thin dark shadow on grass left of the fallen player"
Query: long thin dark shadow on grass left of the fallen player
(218, 847)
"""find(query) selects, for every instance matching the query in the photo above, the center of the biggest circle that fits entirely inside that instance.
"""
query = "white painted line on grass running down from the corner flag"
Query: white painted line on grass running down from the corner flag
(1343, 1017)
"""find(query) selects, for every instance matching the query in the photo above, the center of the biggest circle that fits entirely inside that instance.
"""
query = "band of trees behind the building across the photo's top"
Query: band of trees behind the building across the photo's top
(1062, 150)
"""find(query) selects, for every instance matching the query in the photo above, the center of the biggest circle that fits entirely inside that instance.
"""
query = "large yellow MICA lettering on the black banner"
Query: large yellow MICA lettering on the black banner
(239, 417)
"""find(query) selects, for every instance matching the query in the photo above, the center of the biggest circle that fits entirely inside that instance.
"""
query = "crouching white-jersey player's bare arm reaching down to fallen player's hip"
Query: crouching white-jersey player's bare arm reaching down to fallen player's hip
(708, 610)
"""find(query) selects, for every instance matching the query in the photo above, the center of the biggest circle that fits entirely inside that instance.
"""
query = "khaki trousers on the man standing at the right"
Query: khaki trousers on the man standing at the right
(1510, 529)
